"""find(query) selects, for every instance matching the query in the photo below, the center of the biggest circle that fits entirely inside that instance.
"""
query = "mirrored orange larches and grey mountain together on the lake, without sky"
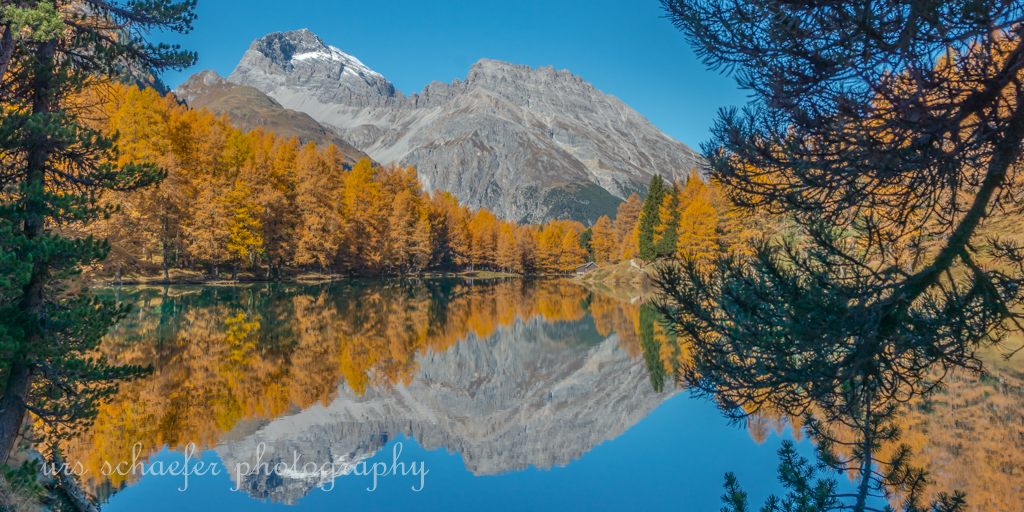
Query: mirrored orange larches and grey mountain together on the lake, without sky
(509, 374)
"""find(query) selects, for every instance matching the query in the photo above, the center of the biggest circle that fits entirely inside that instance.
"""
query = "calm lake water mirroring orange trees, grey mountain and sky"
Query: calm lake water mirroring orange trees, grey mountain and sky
(486, 396)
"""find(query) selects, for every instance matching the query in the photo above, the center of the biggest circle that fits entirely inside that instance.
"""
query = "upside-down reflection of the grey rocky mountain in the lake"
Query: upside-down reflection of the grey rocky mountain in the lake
(533, 395)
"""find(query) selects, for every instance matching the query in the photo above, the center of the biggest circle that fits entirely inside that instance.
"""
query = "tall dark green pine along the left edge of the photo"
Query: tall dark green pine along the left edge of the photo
(54, 170)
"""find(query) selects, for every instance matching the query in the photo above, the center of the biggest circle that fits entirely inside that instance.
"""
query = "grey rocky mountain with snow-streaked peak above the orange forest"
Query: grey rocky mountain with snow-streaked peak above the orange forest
(530, 144)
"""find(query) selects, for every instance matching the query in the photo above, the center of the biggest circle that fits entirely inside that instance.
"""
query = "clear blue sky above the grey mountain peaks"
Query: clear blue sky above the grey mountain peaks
(624, 48)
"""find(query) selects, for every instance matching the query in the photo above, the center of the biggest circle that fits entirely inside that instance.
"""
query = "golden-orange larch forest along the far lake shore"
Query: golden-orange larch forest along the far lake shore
(257, 201)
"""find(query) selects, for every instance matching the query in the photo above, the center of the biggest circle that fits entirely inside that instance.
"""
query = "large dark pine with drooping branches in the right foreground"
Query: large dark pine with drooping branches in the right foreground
(871, 123)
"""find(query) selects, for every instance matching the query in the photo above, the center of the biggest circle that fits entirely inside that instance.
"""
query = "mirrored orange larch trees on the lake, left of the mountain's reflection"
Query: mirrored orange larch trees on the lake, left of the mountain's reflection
(230, 360)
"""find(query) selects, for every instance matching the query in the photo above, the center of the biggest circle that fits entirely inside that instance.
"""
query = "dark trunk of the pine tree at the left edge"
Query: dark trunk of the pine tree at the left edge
(13, 406)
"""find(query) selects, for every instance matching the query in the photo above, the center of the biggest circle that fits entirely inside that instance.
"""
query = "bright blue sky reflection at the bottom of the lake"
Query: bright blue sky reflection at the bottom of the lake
(674, 459)
